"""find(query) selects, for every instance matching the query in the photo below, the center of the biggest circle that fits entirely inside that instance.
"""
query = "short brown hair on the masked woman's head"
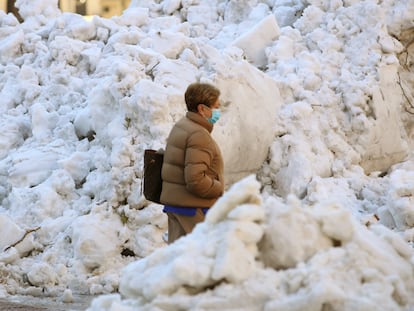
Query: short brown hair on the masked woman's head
(201, 94)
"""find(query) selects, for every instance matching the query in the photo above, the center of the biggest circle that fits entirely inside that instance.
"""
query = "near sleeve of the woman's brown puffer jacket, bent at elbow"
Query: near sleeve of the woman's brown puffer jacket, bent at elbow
(200, 179)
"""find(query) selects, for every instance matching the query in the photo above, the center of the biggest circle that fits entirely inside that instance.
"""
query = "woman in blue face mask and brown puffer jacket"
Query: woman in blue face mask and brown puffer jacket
(192, 171)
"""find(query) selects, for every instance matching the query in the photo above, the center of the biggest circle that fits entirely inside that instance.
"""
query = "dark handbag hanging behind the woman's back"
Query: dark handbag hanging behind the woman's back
(152, 174)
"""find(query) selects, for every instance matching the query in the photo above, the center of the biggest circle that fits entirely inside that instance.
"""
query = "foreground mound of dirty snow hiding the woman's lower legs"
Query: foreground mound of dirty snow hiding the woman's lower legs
(310, 257)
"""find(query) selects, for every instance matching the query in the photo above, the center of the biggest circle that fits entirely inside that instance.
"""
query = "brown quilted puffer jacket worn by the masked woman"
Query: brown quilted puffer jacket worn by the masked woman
(192, 171)
